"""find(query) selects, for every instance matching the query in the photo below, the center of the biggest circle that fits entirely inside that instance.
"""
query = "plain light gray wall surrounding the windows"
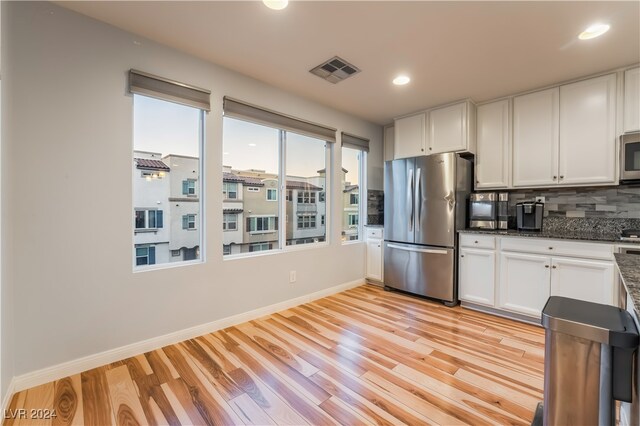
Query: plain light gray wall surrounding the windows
(70, 150)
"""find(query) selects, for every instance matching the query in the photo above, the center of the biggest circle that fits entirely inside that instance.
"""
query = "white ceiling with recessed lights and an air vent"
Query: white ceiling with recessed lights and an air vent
(451, 50)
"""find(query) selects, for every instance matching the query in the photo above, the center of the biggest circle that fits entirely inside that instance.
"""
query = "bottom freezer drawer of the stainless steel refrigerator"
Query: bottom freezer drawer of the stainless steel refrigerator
(423, 270)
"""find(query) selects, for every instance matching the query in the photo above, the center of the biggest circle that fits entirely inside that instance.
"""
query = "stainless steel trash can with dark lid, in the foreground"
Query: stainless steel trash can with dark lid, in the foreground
(589, 351)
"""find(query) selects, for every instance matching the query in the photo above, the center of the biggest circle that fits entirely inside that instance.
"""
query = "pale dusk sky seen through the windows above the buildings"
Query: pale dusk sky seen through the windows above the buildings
(170, 128)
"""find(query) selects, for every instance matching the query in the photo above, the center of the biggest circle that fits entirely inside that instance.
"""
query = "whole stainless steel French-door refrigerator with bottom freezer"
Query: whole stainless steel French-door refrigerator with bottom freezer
(425, 203)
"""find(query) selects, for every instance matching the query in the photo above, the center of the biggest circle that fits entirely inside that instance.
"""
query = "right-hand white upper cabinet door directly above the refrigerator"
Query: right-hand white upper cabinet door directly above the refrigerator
(448, 129)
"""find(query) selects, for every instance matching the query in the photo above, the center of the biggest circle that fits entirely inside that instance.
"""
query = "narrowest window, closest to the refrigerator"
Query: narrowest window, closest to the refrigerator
(353, 168)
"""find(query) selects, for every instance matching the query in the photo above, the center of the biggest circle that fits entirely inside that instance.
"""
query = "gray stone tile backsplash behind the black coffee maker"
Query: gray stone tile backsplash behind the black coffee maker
(622, 202)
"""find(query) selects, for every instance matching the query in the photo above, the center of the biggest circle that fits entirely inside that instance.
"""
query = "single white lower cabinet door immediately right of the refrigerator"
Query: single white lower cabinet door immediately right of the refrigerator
(476, 276)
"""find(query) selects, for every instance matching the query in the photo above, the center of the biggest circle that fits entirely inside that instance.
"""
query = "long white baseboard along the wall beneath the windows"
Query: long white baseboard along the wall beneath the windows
(69, 368)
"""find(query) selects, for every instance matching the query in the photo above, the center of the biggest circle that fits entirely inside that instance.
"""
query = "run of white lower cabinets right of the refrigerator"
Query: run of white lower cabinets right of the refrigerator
(518, 276)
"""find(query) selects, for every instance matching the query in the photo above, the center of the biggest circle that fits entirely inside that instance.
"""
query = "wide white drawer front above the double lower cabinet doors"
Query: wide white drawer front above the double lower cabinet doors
(558, 248)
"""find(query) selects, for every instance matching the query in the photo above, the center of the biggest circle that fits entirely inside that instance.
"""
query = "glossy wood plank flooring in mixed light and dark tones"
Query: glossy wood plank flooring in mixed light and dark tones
(364, 356)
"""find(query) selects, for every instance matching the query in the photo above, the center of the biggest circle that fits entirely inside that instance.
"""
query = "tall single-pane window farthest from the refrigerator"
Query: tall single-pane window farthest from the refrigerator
(167, 147)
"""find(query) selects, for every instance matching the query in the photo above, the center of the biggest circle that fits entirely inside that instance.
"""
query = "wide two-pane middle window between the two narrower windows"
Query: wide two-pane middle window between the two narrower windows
(255, 154)
